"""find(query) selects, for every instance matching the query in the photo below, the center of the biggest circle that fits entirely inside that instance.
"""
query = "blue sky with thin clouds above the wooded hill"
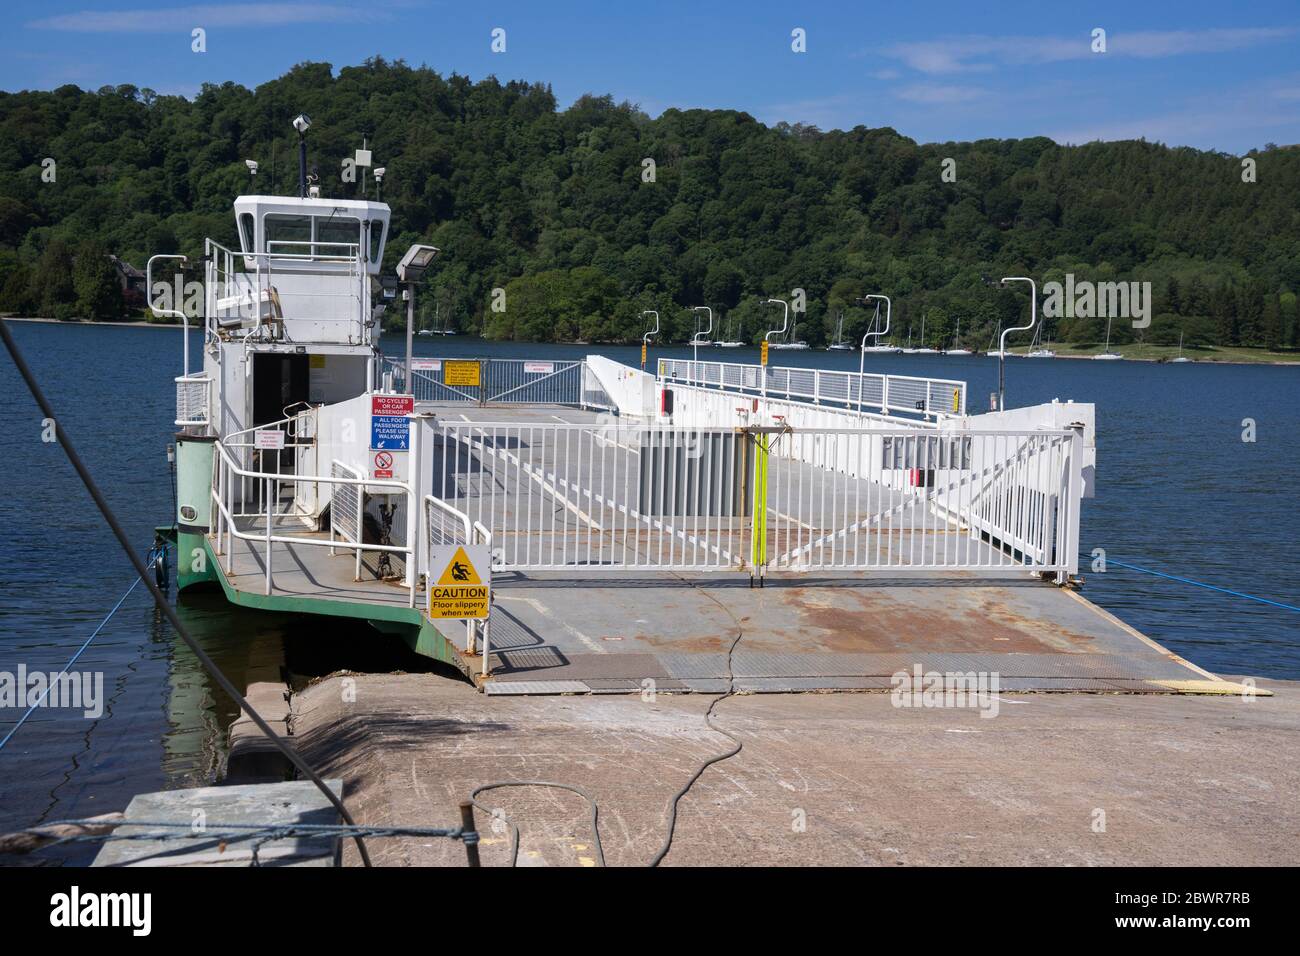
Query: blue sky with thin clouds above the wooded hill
(1210, 75)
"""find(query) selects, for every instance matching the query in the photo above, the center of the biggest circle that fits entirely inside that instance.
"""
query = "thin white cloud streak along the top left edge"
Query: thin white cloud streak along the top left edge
(176, 19)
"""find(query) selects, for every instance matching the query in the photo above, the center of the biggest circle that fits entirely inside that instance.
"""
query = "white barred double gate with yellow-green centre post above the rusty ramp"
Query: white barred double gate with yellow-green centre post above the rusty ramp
(616, 498)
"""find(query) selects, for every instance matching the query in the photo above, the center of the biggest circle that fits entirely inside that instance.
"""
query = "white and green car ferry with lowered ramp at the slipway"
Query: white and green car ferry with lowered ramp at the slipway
(449, 503)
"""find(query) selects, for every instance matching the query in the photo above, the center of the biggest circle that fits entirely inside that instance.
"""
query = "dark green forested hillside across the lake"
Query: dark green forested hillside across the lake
(553, 206)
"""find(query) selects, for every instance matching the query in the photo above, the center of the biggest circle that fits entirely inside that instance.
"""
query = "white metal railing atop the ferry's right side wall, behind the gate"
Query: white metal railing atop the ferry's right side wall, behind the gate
(868, 392)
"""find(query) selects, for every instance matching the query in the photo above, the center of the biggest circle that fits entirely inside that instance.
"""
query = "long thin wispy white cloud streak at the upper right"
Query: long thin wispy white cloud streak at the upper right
(977, 53)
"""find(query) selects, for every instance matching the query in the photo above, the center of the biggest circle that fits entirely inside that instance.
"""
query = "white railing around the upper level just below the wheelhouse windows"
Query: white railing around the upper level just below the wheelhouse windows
(252, 301)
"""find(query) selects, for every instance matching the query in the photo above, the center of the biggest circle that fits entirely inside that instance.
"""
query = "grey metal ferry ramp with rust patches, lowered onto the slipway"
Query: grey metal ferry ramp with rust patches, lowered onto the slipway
(847, 633)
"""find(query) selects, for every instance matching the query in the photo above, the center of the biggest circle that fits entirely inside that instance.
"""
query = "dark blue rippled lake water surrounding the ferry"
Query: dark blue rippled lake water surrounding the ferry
(1177, 491)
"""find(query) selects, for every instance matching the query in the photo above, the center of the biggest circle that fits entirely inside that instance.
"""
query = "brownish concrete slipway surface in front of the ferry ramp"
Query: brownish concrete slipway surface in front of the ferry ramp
(824, 778)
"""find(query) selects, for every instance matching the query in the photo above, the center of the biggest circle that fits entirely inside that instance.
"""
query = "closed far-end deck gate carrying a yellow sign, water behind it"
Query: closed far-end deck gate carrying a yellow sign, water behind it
(506, 382)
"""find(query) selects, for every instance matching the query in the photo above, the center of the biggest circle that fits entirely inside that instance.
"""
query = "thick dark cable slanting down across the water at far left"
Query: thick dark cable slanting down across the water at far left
(161, 599)
